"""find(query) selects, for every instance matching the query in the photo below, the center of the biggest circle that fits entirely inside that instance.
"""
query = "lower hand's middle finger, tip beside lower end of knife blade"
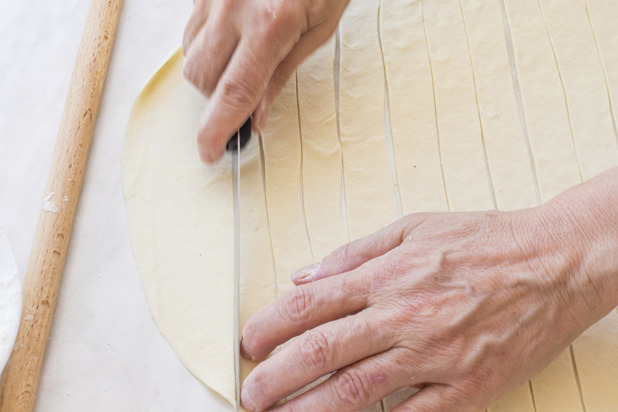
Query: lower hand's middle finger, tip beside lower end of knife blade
(319, 351)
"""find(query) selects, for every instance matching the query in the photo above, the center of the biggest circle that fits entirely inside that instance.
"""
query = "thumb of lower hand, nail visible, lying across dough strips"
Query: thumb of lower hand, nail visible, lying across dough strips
(354, 254)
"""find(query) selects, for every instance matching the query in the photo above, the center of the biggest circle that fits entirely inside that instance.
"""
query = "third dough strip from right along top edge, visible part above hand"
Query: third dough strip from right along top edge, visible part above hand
(543, 101)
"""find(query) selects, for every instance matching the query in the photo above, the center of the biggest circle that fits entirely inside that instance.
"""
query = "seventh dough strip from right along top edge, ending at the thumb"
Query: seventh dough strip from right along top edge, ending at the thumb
(370, 193)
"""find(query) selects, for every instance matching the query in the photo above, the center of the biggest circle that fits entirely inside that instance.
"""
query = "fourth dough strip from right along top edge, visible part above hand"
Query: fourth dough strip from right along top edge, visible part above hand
(507, 154)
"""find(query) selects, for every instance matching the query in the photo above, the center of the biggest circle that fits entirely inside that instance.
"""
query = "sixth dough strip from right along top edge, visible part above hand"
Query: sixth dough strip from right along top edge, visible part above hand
(412, 107)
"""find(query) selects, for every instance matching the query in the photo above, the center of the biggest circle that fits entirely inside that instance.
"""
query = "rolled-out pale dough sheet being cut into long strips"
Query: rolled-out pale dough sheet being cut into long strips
(489, 107)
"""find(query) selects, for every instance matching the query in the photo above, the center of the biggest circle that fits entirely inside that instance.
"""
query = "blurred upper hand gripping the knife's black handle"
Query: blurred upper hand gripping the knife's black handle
(243, 51)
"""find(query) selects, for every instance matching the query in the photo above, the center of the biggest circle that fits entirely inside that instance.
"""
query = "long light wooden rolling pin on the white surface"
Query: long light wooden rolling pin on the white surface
(20, 379)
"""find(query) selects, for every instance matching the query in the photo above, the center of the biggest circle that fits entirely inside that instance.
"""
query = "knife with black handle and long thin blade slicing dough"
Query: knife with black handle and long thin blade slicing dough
(234, 146)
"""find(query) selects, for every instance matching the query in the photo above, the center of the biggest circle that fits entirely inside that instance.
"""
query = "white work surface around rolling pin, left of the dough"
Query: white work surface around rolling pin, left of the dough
(105, 352)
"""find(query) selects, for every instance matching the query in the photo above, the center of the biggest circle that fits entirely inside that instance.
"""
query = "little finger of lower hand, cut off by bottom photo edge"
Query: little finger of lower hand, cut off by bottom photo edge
(435, 398)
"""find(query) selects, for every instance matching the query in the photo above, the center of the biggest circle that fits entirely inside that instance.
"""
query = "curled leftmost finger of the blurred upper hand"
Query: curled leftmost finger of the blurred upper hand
(210, 54)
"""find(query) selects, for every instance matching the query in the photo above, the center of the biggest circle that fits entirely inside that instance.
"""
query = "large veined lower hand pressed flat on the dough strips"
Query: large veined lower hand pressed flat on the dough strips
(464, 306)
